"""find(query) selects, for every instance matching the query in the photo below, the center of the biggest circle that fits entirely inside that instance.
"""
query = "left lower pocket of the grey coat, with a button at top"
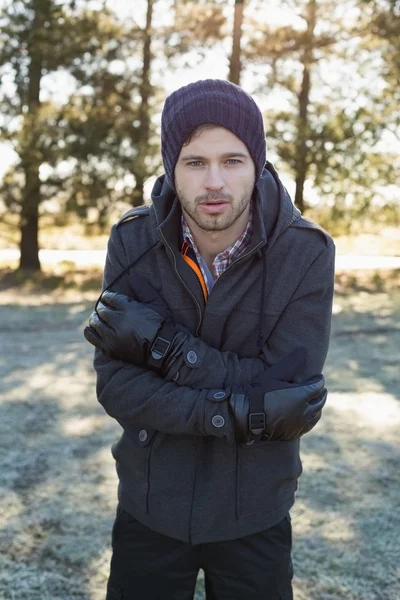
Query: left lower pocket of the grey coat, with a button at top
(132, 454)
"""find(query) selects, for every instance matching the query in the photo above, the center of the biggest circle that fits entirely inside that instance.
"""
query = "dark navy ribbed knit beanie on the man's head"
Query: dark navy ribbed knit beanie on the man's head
(216, 102)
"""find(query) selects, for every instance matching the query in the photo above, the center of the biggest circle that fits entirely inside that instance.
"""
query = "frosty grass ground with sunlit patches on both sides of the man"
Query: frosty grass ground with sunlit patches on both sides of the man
(57, 477)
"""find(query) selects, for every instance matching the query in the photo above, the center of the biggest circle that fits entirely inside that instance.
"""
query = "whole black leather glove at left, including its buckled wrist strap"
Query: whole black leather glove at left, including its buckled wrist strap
(133, 332)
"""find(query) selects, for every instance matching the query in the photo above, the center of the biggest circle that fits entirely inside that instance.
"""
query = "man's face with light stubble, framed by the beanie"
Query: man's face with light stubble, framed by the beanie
(214, 179)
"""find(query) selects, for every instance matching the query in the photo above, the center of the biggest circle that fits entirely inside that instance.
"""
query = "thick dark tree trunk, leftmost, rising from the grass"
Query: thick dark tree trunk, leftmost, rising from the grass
(30, 159)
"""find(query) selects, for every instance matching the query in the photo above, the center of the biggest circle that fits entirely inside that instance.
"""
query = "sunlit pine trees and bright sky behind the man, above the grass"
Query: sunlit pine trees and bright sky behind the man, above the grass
(83, 83)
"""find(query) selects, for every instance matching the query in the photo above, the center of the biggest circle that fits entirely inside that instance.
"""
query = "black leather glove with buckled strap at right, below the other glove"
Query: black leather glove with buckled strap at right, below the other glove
(274, 409)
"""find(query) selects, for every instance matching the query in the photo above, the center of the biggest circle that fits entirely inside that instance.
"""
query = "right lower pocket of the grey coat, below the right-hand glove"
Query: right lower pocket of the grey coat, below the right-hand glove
(268, 474)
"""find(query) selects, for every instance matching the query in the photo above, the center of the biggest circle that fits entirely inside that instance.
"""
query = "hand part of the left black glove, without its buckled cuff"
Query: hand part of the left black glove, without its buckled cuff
(123, 328)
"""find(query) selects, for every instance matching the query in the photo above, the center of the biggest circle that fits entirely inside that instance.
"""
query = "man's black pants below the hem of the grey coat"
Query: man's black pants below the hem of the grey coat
(146, 565)
